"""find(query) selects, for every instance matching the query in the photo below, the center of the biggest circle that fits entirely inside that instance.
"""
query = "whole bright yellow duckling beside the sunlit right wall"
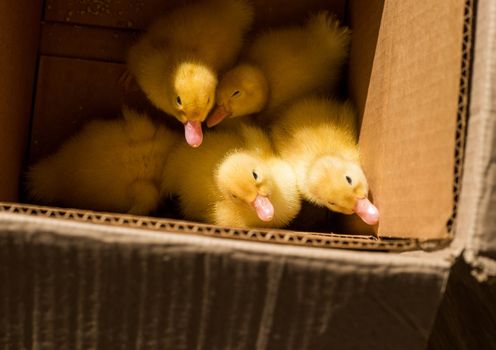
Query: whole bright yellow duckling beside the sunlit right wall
(319, 138)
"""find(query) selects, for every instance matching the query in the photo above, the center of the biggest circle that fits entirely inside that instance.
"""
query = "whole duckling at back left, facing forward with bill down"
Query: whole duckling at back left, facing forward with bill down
(177, 61)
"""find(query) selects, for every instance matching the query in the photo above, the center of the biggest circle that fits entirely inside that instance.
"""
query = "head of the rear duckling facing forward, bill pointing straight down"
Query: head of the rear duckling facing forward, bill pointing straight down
(194, 88)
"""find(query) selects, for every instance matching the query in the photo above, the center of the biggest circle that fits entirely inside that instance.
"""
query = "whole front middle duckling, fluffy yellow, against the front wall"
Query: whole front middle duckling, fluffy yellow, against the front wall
(234, 180)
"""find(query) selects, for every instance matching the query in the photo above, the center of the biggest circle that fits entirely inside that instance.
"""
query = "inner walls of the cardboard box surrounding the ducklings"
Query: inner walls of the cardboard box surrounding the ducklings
(62, 60)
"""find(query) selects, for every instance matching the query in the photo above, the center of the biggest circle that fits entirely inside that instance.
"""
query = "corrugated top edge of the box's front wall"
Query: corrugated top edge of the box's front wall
(309, 239)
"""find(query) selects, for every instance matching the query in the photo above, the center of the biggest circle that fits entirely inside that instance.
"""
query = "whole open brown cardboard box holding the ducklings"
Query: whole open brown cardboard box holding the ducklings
(80, 279)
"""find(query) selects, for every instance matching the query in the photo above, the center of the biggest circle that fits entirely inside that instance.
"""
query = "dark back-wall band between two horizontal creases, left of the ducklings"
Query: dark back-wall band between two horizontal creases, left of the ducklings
(68, 40)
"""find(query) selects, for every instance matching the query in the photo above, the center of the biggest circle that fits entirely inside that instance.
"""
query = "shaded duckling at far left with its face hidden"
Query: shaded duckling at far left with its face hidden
(110, 165)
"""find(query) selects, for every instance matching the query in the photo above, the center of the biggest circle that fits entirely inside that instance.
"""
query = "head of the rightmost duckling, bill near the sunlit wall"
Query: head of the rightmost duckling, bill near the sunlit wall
(341, 186)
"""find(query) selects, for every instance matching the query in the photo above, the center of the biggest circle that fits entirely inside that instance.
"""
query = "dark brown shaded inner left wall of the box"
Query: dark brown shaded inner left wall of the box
(19, 30)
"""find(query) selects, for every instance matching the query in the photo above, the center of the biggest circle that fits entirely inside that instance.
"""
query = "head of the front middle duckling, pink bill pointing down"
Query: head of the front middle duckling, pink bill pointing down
(245, 181)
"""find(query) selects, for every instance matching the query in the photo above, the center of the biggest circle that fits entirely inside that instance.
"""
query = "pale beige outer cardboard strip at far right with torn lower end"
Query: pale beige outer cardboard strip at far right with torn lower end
(476, 224)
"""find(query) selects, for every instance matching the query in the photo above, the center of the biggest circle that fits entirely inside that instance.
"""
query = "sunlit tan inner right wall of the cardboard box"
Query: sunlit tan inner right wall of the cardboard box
(408, 129)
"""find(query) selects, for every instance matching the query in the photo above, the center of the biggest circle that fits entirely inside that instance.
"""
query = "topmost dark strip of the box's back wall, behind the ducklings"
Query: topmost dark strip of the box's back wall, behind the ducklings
(137, 14)
